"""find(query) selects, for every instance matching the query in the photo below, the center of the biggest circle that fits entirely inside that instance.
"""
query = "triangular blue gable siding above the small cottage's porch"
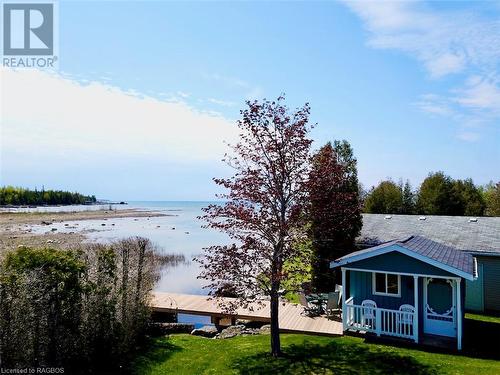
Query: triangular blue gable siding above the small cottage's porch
(397, 262)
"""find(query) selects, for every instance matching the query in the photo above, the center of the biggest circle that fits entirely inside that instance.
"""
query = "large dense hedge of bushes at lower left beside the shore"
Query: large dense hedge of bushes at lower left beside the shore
(84, 309)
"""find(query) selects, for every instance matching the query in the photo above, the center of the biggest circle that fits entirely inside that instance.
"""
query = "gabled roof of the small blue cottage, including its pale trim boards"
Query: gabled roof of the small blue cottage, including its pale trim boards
(439, 255)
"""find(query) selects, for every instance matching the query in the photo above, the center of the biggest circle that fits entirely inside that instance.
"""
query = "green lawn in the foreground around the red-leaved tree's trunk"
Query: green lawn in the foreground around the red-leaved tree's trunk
(185, 354)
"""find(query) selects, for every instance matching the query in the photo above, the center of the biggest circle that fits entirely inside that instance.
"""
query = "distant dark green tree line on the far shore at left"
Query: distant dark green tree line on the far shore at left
(16, 196)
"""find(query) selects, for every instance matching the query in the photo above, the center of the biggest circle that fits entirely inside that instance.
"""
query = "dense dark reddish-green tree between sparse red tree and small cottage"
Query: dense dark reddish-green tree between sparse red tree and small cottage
(335, 210)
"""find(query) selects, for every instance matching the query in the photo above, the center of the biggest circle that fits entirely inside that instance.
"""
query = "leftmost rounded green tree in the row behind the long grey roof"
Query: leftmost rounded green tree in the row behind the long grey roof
(386, 198)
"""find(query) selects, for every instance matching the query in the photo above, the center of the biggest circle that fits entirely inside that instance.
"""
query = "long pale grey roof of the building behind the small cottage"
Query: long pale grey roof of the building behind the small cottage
(481, 234)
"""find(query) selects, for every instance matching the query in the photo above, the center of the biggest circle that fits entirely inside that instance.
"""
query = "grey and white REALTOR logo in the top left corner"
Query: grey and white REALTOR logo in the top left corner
(29, 30)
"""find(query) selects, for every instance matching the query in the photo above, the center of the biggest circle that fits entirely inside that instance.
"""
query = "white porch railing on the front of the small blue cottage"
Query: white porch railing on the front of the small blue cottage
(379, 321)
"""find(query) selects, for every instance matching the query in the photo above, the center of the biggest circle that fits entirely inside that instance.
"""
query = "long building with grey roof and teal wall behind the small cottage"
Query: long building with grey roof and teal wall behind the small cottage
(478, 236)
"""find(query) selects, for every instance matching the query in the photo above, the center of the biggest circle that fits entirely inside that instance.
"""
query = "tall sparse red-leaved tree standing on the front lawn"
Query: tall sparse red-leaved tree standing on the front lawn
(263, 213)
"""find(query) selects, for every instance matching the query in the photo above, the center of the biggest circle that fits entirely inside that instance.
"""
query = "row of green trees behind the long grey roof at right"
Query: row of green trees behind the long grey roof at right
(439, 194)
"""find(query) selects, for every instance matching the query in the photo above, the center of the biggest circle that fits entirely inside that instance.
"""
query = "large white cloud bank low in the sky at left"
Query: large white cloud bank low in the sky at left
(74, 120)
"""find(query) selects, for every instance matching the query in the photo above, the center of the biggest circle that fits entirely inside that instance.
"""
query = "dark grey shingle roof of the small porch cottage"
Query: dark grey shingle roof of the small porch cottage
(447, 255)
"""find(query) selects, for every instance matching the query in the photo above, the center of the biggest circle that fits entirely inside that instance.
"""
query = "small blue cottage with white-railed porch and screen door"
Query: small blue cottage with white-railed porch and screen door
(412, 288)
